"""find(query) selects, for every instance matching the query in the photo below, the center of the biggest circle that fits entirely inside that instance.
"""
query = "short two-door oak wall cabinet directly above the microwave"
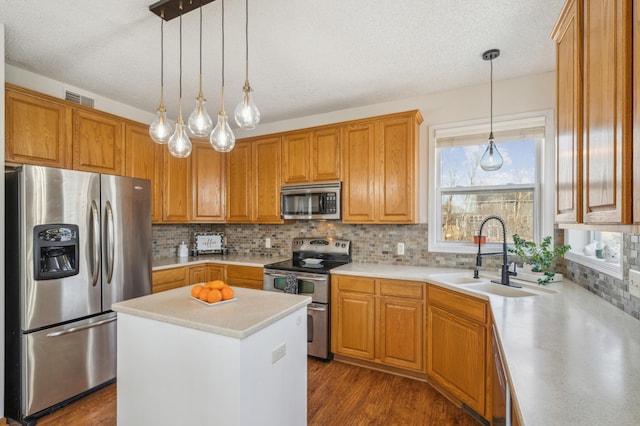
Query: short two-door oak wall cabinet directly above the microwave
(311, 156)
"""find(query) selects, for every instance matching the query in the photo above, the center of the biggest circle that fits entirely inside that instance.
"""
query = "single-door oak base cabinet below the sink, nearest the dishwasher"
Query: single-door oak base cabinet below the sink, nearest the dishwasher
(458, 346)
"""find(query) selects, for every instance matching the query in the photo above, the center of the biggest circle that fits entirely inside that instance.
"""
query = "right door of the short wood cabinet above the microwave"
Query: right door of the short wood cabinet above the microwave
(325, 155)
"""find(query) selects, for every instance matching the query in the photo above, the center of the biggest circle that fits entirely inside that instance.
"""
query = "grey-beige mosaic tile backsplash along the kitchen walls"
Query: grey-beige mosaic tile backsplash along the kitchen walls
(377, 244)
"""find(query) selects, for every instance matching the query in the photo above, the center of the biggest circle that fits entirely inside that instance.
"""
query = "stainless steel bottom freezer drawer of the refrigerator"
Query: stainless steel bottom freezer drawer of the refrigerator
(62, 362)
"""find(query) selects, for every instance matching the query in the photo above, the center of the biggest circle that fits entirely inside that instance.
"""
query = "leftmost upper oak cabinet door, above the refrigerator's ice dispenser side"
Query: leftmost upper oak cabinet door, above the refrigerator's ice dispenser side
(38, 130)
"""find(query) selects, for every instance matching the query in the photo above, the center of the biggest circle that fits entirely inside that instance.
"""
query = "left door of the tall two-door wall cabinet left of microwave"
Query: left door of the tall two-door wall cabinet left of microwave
(239, 194)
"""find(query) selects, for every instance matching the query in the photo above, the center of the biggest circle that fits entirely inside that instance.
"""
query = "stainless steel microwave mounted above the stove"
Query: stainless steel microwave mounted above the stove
(320, 200)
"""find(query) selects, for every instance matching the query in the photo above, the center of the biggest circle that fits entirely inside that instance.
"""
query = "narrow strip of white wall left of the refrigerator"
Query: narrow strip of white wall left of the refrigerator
(2, 227)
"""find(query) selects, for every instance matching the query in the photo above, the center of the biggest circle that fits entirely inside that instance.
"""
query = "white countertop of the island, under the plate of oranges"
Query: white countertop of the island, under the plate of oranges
(252, 310)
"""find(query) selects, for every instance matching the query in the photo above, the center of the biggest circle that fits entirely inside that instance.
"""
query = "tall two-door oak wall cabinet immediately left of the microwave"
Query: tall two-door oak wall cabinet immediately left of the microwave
(253, 181)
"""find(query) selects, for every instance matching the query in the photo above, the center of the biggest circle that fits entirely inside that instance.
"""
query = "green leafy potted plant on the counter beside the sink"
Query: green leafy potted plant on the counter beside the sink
(539, 258)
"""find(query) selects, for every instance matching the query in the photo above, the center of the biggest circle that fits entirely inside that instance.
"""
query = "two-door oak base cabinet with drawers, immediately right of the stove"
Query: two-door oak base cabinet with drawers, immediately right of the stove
(379, 320)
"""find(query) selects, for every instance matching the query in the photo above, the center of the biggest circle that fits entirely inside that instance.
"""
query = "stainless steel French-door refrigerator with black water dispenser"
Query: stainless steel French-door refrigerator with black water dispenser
(75, 242)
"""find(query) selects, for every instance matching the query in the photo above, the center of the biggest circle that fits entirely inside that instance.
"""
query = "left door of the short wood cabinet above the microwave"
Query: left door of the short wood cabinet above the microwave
(296, 153)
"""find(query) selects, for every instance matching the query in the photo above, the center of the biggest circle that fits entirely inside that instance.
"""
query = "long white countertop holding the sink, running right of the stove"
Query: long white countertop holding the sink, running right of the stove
(572, 358)
